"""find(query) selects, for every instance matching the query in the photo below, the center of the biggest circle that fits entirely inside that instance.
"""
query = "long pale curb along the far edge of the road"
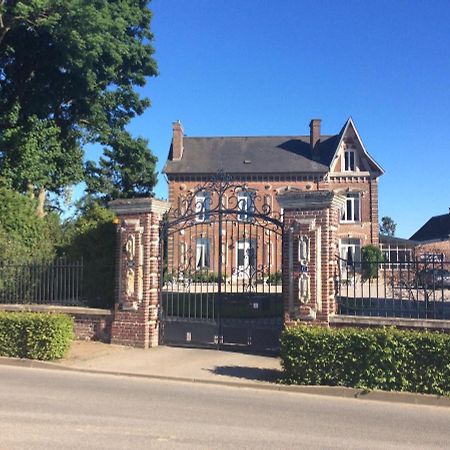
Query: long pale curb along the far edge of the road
(329, 391)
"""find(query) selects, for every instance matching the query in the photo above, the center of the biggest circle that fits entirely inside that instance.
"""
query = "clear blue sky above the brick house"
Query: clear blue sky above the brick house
(266, 67)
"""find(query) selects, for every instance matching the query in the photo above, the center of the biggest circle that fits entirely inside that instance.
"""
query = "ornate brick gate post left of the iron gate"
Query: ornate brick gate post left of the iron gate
(137, 275)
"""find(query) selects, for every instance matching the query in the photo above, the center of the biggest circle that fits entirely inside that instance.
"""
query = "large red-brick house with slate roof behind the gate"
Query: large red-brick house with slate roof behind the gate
(269, 166)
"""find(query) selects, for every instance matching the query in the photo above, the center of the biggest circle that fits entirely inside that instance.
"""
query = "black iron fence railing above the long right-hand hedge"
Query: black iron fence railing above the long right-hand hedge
(413, 289)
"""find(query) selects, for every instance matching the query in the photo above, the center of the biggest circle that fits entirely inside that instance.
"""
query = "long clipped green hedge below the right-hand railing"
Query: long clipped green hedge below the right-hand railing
(385, 358)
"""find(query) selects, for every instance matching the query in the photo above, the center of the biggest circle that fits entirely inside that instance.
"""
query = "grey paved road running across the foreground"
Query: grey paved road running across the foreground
(51, 409)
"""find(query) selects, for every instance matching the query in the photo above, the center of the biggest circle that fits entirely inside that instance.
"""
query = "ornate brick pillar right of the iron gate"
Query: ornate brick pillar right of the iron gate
(310, 247)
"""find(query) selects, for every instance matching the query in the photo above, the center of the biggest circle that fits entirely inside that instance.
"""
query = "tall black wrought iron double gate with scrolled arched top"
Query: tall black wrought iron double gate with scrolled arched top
(221, 268)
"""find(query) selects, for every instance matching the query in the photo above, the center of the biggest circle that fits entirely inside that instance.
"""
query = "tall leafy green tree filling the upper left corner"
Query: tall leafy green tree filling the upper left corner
(68, 72)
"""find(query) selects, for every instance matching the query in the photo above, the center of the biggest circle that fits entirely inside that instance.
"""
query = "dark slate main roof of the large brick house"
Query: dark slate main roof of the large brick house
(240, 155)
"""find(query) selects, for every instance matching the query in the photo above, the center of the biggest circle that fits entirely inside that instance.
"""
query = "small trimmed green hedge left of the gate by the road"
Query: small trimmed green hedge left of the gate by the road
(35, 335)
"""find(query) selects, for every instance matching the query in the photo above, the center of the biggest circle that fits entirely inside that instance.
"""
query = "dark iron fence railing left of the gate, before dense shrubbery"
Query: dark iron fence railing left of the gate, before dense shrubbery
(59, 282)
